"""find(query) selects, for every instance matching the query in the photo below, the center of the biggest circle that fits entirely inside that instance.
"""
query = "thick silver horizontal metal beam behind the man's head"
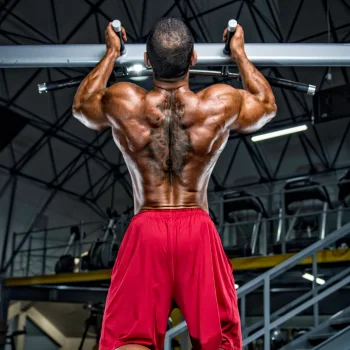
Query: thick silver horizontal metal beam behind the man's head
(270, 55)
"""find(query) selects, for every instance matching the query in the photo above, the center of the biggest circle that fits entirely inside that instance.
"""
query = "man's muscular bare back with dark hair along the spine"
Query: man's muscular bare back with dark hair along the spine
(170, 141)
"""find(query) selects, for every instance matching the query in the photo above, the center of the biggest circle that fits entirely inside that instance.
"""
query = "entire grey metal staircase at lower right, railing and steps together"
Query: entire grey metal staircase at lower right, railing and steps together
(333, 334)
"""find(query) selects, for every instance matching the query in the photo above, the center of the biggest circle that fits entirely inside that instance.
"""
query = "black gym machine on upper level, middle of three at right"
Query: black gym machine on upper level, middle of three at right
(301, 196)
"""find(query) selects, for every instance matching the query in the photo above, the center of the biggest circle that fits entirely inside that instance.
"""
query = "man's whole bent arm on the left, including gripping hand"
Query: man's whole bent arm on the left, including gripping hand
(88, 106)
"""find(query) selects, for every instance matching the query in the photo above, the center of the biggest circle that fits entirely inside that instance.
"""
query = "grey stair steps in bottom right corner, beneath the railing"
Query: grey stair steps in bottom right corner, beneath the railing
(333, 334)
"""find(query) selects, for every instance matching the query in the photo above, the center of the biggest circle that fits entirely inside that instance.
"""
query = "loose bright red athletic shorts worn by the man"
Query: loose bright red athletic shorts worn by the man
(166, 255)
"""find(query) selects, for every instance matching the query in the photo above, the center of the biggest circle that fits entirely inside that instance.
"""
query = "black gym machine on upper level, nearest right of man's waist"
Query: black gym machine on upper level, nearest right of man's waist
(243, 201)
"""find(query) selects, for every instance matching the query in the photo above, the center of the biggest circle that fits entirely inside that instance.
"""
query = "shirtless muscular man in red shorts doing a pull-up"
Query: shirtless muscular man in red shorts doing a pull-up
(171, 139)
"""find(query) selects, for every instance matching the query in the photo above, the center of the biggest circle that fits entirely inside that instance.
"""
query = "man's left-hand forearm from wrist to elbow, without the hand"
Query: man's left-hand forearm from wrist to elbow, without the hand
(97, 79)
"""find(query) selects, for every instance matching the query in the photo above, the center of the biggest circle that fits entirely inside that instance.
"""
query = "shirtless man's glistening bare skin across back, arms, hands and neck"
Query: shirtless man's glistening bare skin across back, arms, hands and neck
(171, 137)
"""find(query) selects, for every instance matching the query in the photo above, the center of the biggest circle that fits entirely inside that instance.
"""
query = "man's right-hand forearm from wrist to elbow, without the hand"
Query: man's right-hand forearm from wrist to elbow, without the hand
(253, 81)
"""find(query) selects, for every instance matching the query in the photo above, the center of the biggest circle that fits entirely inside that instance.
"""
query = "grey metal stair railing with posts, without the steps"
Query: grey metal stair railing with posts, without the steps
(312, 298)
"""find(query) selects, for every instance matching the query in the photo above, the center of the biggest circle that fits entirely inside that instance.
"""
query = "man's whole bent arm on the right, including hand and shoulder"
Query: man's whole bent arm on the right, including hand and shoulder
(250, 109)
